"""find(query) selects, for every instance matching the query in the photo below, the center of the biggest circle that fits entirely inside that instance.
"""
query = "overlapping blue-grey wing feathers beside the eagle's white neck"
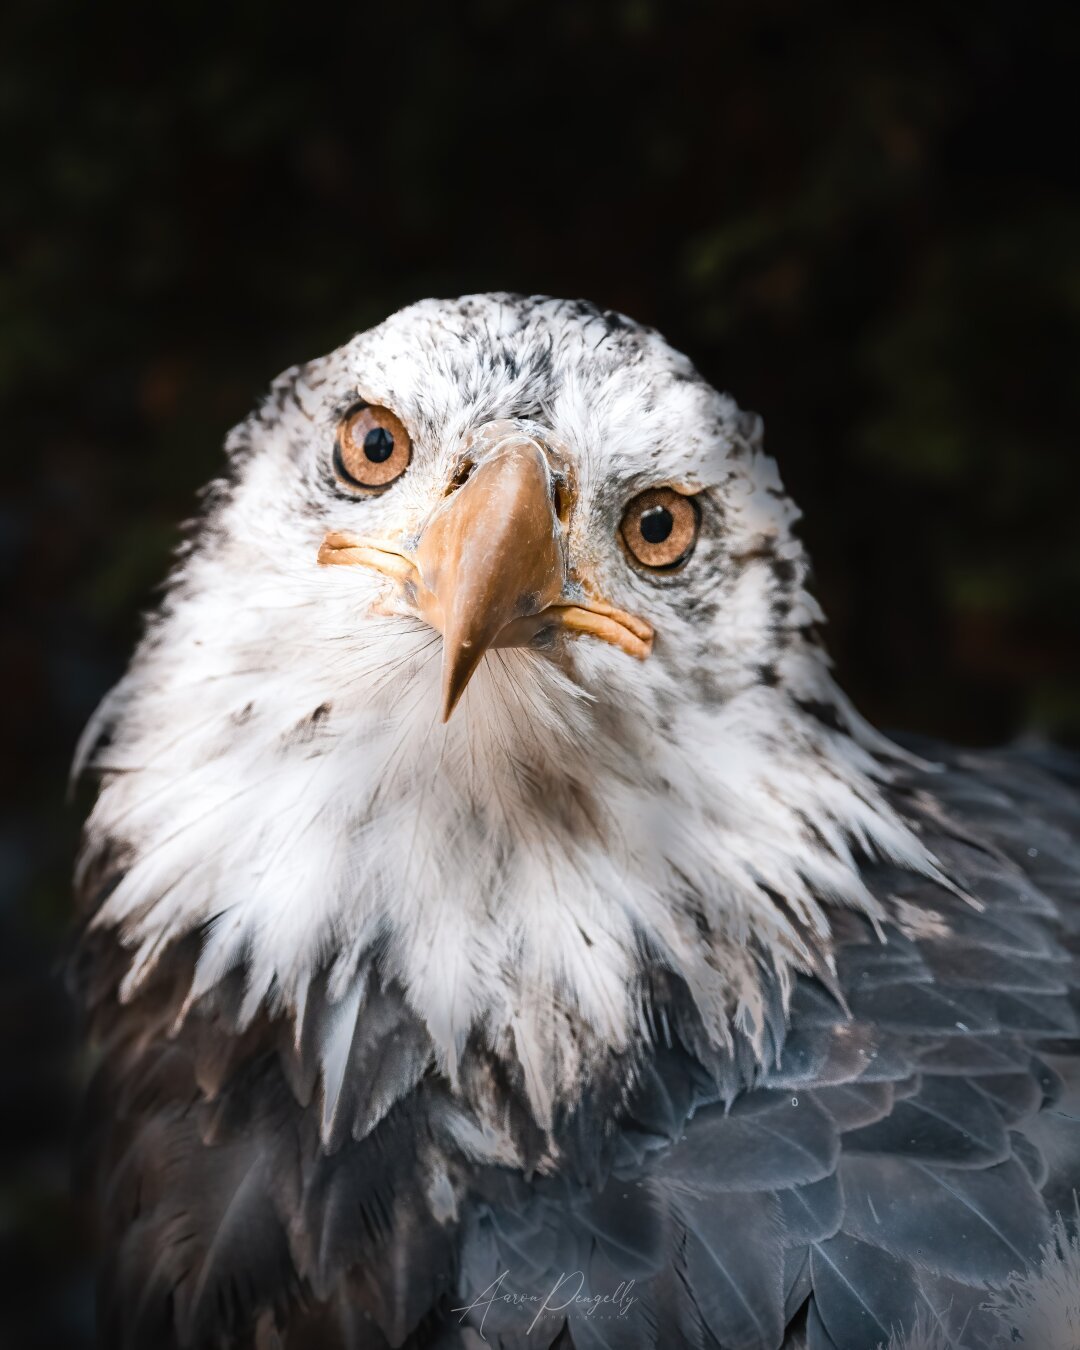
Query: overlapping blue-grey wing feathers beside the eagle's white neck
(905, 1155)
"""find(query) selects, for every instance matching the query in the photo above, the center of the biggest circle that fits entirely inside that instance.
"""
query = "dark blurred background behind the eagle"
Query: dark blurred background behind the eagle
(866, 227)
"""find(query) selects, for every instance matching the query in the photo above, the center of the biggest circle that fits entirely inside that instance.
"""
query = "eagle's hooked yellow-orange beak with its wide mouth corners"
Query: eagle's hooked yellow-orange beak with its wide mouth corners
(491, 566)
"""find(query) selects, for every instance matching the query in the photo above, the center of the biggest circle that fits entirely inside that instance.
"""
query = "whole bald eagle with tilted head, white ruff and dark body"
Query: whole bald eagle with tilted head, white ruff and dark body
(497, 928)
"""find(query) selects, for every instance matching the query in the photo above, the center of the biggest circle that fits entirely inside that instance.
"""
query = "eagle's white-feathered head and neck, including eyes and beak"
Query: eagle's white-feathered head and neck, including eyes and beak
(492, 664)
